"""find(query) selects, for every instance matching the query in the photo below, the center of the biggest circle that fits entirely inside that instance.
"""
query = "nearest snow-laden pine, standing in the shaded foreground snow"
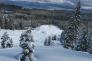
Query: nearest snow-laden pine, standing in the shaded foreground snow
(26, 43)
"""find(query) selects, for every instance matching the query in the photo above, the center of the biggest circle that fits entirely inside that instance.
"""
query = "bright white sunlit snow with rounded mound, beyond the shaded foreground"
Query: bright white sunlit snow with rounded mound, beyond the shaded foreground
(40, 33)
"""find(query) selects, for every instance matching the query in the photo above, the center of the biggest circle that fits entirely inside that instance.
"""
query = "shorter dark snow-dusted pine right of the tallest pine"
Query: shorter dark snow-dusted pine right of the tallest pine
(83, 42)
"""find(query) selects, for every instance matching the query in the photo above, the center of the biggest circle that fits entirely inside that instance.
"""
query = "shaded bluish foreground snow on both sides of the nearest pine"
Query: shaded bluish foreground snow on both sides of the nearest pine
(44, 53)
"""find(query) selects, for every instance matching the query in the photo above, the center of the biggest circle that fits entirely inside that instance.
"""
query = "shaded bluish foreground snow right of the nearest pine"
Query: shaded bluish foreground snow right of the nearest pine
(60, 54)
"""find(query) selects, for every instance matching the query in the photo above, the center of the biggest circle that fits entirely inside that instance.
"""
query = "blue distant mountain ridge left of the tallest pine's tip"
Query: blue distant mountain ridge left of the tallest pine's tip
(38, 5)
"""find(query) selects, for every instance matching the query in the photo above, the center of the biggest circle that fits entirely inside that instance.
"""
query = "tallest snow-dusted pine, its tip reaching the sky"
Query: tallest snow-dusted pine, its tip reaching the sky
(72, 30)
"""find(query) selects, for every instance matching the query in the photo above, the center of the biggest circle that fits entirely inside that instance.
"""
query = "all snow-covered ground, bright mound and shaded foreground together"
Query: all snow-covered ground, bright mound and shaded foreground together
(42, 53)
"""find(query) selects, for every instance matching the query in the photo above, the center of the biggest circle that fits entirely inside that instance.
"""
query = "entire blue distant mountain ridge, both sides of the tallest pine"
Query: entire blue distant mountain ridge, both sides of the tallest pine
(48, 6)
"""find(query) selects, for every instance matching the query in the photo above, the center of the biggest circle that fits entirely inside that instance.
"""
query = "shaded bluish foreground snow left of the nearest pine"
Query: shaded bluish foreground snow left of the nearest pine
(10, 54)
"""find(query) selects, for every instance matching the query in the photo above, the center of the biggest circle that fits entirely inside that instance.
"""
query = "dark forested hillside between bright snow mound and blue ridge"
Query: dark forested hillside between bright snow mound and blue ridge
(35, 17)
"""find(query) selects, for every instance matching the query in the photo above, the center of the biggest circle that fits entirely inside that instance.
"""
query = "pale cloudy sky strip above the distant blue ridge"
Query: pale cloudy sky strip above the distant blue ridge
(87, 3)
